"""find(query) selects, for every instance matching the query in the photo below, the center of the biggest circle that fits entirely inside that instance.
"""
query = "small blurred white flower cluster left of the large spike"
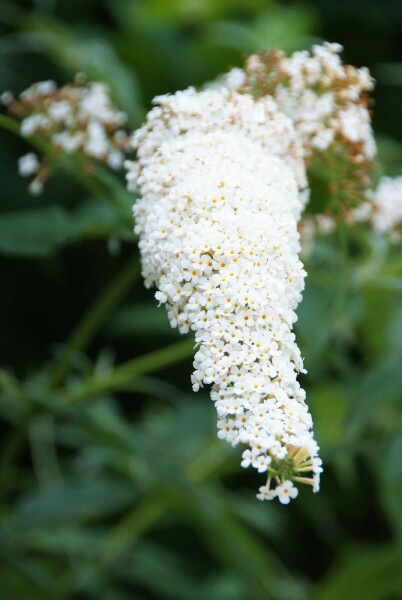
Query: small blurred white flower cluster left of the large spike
(77, 118)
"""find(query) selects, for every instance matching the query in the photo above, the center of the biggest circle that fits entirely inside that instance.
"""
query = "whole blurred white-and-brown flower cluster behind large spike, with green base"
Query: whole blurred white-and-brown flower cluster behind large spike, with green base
(328, 104)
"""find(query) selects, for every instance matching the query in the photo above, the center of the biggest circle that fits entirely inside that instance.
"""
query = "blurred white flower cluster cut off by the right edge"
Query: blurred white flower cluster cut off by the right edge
(383, 210)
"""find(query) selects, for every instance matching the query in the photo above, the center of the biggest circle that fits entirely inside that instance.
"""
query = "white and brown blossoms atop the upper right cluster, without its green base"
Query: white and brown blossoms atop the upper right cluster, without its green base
(324, 98)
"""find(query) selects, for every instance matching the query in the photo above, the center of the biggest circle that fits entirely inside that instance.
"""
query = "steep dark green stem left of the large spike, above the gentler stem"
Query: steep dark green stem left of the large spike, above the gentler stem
(91, 321)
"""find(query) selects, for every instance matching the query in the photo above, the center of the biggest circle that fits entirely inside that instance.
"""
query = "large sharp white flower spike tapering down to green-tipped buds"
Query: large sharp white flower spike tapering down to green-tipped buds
(220, 177)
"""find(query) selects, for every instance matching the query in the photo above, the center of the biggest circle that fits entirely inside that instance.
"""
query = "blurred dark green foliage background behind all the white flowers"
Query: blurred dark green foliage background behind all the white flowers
(113, 483)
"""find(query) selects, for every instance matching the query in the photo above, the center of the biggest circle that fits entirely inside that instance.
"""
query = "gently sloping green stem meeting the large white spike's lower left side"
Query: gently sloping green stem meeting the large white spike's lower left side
(129, 370)
